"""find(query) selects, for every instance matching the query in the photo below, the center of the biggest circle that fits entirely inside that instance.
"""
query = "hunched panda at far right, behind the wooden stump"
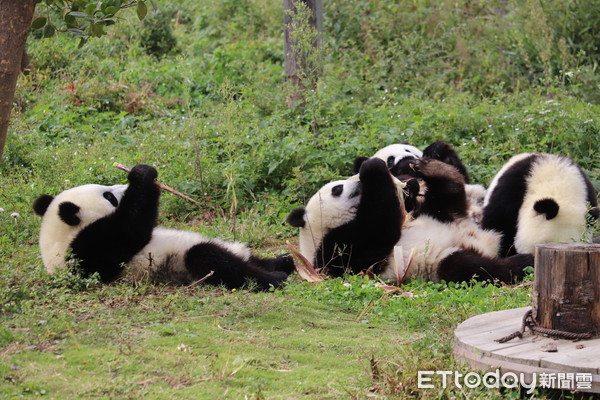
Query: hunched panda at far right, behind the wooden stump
(538, 198)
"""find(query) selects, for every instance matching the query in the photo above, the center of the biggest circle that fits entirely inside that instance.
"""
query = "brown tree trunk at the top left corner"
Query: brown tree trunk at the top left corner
(15, 17)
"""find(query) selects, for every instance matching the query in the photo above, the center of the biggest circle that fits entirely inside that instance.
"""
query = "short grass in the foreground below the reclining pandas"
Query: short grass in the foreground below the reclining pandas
(324, 341)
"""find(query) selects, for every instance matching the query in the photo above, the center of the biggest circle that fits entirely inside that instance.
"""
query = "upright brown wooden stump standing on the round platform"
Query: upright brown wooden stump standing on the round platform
(566, 290)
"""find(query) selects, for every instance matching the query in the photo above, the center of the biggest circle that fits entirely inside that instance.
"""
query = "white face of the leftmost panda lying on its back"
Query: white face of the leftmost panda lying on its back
(68, 213)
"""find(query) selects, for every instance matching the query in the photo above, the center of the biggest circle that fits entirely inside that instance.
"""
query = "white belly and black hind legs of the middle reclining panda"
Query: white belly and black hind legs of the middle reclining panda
(445, 241)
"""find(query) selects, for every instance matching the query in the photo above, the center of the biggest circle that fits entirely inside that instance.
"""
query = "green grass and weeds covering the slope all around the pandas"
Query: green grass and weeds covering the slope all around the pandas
(493, 78)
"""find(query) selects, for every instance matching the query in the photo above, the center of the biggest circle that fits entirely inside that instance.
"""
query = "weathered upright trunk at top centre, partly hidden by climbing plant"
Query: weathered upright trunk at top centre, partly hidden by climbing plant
(292, 64)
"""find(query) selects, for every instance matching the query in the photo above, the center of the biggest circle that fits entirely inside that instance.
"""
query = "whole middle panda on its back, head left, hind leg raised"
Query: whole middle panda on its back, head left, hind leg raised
(352, 226)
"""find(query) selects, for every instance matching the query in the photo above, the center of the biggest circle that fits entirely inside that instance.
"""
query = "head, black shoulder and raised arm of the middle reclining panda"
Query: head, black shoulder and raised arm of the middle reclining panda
(351, 225)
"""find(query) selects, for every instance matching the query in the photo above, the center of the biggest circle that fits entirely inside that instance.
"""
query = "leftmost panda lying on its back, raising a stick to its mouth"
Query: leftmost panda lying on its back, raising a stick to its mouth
(111, 230)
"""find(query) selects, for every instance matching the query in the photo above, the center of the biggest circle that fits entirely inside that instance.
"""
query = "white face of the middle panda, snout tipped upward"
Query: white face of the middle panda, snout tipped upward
(334, 205)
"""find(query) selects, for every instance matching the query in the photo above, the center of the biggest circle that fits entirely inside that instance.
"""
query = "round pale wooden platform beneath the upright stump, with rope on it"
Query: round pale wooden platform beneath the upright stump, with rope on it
(474, 342)
